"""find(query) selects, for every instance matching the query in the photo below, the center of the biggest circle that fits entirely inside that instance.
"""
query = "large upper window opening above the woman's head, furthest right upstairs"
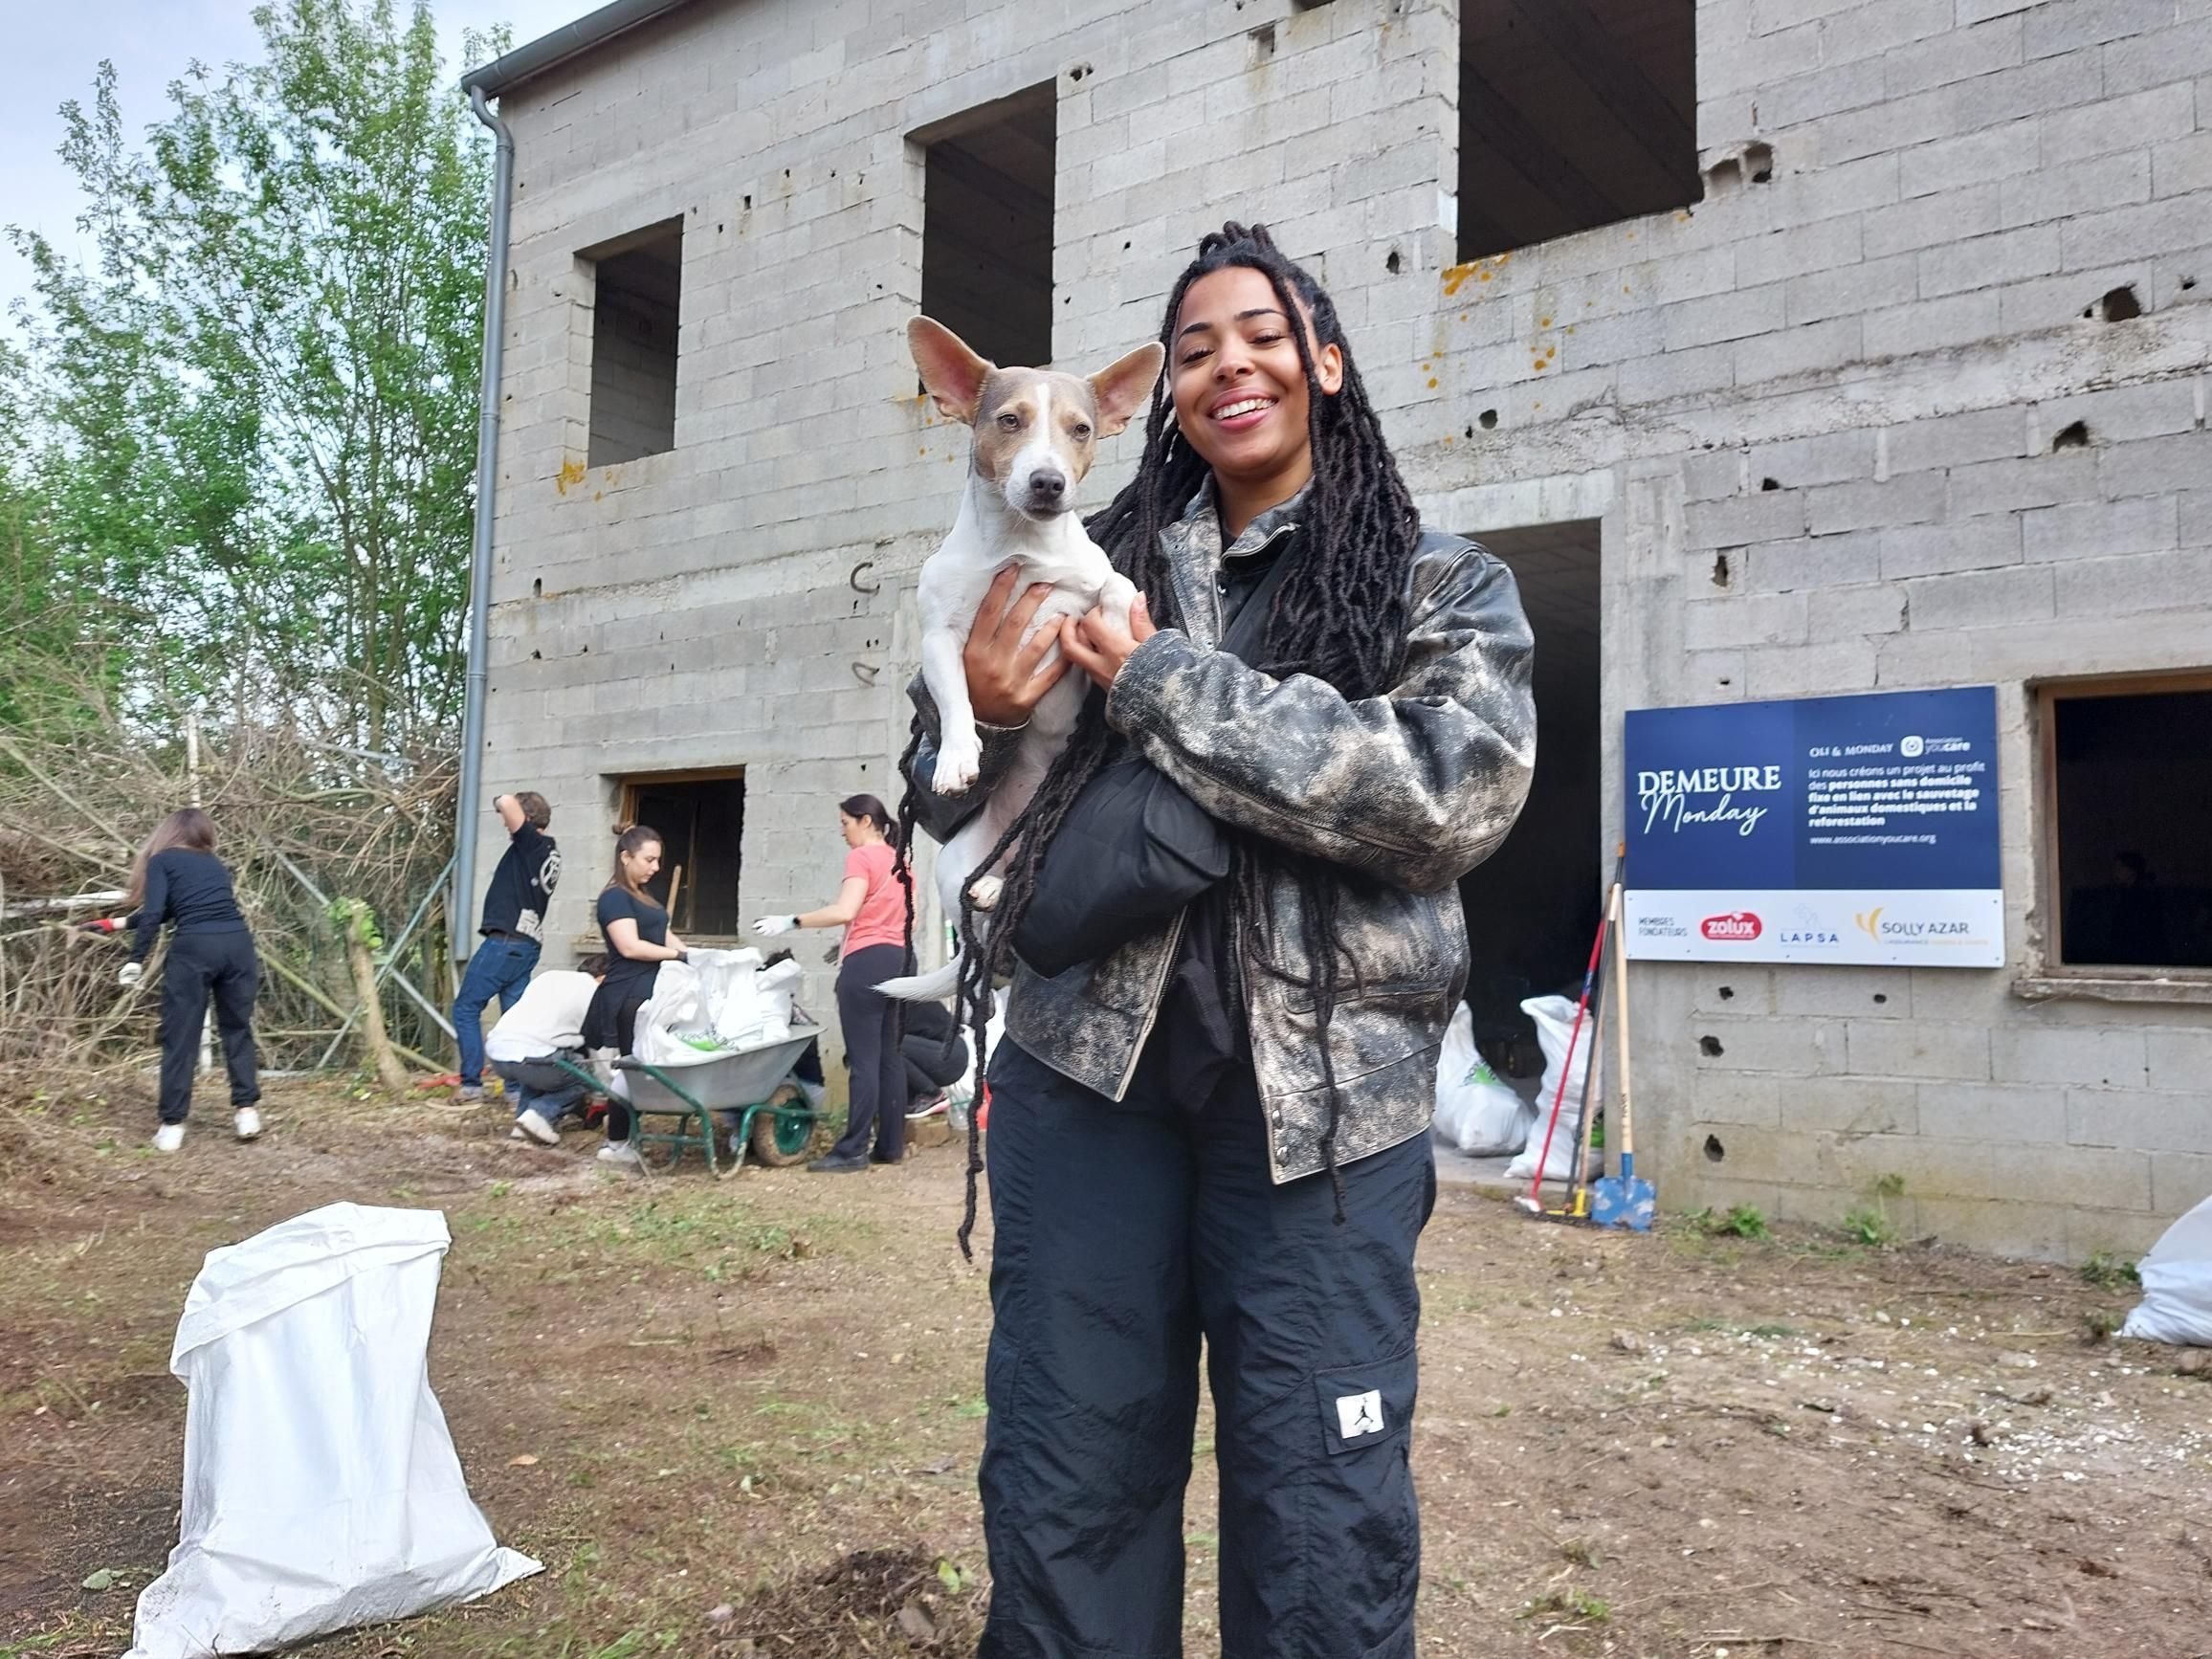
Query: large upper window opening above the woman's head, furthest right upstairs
(1574, 114)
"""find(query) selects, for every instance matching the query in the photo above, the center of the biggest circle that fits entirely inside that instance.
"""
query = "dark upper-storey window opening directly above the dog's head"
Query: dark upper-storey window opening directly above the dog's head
(988, 225)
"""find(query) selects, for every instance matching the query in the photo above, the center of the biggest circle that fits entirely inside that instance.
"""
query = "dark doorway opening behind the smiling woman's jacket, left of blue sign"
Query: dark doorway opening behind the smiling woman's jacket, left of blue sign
(1534, 906)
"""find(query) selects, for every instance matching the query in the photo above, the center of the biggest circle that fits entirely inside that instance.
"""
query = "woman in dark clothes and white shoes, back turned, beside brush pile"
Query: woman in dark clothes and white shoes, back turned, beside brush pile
(211, 954)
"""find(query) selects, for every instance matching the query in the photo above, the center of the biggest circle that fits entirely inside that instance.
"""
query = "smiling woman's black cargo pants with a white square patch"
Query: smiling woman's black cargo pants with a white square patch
(1125, 1235)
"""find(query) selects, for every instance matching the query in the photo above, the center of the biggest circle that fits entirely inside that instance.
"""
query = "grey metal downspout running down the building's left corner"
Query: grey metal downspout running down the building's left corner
(461, 912)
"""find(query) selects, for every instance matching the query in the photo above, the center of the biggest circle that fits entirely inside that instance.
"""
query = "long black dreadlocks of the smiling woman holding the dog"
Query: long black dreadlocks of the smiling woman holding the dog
(1339, 616)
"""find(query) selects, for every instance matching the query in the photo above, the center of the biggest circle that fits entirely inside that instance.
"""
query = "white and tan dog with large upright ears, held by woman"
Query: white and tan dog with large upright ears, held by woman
(1036, 437)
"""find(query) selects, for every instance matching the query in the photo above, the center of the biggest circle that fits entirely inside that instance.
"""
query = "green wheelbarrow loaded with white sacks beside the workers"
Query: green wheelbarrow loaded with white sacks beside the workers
(742, 1089)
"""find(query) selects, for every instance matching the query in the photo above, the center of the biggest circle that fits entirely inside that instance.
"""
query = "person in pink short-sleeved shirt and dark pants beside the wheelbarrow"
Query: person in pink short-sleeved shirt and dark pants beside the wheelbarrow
(873, 910)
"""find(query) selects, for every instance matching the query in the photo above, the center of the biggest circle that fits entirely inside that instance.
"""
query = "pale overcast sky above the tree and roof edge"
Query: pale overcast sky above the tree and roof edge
(56, 45)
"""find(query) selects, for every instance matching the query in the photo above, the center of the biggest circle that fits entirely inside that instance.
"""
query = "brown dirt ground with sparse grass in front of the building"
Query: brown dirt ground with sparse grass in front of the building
(744, 1417)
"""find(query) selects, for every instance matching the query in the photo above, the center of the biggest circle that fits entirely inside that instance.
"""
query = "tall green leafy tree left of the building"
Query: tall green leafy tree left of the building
(253, 417)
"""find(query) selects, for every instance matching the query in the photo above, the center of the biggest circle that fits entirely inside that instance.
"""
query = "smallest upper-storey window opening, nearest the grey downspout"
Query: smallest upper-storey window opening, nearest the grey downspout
(638, 286)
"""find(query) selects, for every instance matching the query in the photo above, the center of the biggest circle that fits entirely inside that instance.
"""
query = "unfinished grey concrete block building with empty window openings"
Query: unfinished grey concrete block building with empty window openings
(1784, 348)
